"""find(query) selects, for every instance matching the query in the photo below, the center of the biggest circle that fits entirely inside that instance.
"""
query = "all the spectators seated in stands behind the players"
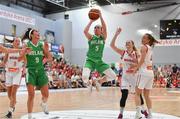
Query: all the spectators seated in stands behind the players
(62, 75)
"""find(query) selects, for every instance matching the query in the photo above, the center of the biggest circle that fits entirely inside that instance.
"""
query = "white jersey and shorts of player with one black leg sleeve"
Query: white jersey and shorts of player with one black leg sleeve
(128, 77)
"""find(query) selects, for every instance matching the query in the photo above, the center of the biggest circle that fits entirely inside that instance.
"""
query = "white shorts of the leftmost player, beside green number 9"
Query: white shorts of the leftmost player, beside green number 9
(13, 78)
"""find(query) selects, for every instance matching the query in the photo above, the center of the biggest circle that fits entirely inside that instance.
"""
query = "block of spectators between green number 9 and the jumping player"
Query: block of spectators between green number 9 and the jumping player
(64, 75)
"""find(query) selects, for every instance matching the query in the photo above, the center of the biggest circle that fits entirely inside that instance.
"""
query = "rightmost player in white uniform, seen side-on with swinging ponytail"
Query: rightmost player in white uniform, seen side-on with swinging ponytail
(145, 77)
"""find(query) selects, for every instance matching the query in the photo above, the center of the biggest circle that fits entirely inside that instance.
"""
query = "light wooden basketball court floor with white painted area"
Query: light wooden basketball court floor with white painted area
(81, 104)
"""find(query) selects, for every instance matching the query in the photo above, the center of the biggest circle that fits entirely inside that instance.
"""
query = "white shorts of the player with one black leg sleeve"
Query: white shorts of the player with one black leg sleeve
(129, 82)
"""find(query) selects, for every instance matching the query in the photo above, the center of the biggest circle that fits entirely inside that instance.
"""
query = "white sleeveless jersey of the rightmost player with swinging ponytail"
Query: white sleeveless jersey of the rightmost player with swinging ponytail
(146, 67)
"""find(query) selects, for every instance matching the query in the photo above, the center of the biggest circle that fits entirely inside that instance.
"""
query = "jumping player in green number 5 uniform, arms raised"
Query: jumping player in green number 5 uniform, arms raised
(94, 56)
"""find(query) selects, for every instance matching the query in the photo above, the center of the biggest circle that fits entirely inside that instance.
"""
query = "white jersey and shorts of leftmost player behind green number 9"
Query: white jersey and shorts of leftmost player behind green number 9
(13, 69)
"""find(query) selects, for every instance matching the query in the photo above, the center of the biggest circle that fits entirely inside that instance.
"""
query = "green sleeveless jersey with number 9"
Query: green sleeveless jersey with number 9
(35, 58)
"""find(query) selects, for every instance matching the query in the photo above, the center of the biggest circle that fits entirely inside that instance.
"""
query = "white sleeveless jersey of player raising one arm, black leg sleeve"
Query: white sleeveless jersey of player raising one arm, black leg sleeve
(129, 59)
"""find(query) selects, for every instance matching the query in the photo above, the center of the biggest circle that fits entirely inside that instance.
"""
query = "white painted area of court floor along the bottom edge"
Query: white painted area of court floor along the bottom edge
(93, 114)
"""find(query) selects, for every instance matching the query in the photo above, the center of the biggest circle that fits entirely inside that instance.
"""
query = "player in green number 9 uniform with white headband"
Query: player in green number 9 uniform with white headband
(35, 74)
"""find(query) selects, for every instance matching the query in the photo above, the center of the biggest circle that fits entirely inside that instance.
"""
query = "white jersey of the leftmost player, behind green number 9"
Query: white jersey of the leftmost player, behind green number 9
(12, 62)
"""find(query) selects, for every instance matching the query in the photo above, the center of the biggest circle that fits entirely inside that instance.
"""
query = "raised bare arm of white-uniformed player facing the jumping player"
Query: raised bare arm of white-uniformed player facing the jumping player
(113, 46)
